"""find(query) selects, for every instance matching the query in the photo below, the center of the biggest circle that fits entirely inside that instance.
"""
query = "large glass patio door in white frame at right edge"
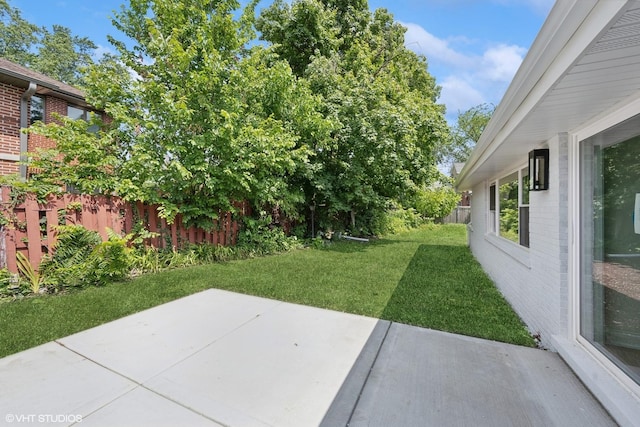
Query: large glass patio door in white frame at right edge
(610, 244)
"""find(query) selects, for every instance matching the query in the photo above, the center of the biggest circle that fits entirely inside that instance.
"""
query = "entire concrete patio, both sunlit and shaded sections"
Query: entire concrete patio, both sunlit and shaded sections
(222, 359)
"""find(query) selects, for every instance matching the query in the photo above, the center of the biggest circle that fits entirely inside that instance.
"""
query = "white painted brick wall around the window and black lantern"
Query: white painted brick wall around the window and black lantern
(536, 283)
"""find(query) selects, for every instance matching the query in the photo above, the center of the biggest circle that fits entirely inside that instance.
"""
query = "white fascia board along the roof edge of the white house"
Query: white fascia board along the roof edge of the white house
(571, 28)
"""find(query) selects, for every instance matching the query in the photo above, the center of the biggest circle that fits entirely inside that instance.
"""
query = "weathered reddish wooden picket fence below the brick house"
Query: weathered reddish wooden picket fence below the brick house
(30, 227)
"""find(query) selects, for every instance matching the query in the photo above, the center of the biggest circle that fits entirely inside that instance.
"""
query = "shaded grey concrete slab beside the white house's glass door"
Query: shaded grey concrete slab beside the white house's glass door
(426, 377)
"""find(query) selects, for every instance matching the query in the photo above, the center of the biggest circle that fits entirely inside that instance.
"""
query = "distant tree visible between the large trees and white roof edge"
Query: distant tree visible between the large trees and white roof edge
(465, 134)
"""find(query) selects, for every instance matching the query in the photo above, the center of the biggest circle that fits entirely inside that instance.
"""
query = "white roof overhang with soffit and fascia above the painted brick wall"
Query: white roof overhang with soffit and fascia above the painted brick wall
(584, 62)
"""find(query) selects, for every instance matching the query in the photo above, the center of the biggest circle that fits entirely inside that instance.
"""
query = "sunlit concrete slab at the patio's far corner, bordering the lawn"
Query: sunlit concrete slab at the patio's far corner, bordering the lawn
(152, 341)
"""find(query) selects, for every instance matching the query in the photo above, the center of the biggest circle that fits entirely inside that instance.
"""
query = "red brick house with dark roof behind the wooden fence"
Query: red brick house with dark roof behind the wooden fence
(27, 96)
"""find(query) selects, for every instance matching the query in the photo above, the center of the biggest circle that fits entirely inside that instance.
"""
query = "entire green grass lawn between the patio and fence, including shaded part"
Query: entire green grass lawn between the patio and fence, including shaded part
(425, 277)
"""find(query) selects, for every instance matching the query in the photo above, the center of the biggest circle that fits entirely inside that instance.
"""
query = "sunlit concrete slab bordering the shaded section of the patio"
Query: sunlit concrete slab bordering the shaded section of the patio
(282, 369)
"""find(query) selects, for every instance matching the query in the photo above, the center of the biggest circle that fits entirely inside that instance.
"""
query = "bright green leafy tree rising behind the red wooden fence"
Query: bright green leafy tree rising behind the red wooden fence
(198, 121)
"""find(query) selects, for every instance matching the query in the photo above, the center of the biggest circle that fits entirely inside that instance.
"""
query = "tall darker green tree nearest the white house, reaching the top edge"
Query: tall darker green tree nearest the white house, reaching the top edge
(378, 96)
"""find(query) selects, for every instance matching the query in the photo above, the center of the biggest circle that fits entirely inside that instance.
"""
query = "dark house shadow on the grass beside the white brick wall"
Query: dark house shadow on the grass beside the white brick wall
(445, 288)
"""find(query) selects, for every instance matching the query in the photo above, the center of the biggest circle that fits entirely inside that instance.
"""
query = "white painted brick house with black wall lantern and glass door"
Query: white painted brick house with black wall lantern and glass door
(568, 258)
